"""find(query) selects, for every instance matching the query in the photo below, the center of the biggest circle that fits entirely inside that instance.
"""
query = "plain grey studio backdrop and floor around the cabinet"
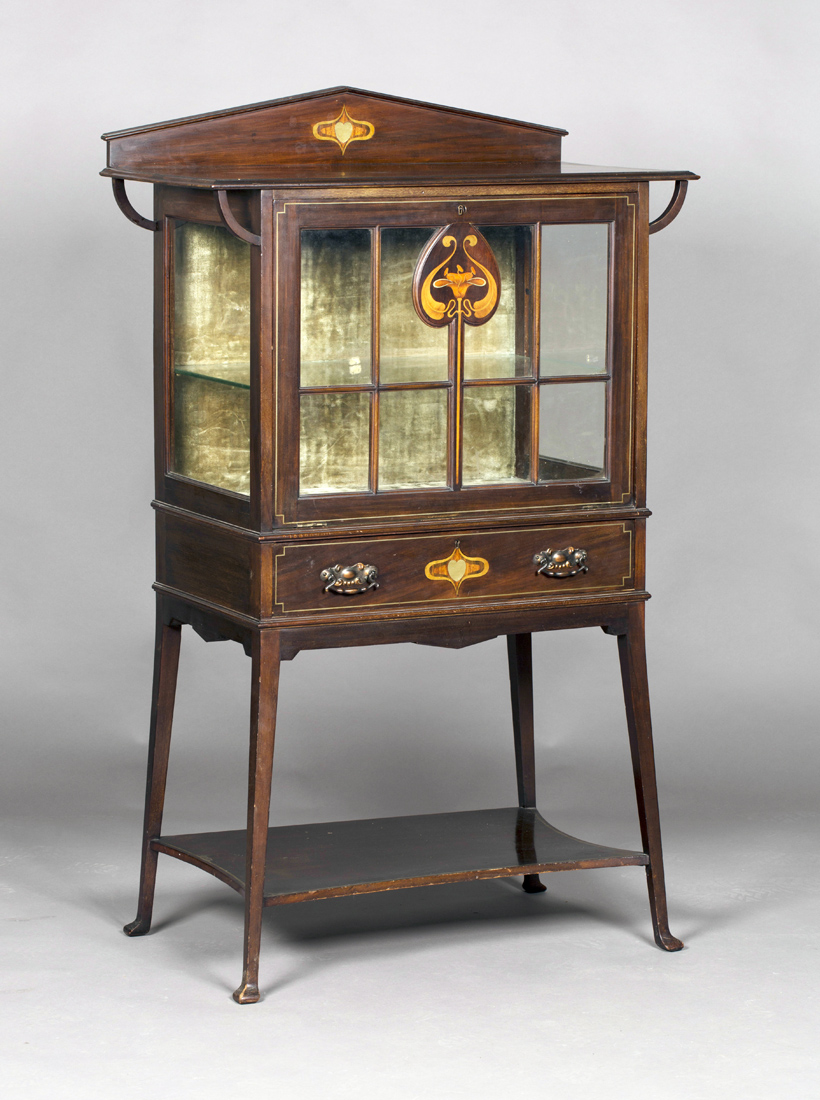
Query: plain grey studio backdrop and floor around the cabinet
(454, 992)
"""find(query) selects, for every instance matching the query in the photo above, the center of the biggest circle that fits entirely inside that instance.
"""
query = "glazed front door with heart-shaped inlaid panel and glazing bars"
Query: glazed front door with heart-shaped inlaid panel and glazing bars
(440, 357)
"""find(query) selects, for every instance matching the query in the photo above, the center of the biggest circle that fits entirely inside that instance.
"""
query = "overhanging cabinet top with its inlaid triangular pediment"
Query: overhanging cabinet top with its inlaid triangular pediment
(345, 137)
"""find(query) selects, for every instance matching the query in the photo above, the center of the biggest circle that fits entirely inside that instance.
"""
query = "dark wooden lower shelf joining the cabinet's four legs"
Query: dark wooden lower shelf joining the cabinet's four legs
(336, 859)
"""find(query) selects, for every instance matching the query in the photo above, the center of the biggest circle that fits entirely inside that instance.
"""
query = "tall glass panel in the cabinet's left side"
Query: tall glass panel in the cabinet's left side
(212, 357)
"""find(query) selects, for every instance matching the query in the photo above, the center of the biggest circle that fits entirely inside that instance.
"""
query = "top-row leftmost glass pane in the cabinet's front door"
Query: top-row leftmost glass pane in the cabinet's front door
(335, 307)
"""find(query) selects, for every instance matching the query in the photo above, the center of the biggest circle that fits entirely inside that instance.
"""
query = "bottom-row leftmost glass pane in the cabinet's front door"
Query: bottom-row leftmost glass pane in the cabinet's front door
(334, 443)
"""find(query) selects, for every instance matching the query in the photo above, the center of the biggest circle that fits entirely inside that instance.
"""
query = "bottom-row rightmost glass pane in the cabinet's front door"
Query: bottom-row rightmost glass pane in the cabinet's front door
(573, 431)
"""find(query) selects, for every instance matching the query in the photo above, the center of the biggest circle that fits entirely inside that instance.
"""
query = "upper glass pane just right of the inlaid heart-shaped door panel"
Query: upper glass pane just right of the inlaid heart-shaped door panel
(500, 349)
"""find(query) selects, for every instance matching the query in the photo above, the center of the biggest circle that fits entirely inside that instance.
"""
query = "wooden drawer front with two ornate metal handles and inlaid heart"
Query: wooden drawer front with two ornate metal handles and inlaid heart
(442, 568)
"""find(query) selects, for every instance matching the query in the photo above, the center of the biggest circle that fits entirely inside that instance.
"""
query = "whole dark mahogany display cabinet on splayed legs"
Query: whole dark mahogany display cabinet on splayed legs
(400, 398)
